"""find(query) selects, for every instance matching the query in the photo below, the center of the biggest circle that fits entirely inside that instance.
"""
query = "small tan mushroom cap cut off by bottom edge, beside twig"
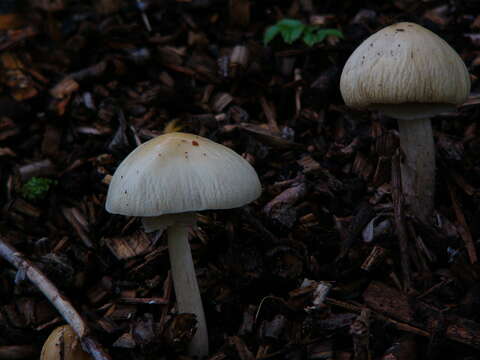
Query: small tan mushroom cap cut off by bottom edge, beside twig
(63, 344)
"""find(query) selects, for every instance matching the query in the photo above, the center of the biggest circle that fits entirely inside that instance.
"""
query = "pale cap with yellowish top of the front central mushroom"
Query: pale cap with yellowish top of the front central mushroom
(178, 172)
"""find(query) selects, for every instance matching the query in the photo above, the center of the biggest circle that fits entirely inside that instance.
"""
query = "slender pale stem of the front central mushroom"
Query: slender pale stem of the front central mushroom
(186, 286)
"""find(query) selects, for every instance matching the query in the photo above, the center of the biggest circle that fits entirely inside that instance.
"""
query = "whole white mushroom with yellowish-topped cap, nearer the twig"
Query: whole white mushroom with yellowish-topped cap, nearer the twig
(165, 181)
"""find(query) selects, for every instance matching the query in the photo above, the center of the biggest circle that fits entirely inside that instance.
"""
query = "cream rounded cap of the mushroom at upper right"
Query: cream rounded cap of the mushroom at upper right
(405, 64)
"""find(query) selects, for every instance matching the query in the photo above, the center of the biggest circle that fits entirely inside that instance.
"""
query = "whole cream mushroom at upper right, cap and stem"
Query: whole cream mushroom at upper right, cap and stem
(411, 74)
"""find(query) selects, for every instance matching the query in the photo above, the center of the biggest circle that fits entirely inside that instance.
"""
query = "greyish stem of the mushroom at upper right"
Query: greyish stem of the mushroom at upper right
(418, 167)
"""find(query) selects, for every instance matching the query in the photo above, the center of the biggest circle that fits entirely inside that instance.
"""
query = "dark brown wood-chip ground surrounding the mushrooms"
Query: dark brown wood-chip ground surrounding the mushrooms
(327, 264)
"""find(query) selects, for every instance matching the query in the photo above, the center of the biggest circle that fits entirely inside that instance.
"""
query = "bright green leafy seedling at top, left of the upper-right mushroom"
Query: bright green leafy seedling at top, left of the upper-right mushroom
(292, 29)
